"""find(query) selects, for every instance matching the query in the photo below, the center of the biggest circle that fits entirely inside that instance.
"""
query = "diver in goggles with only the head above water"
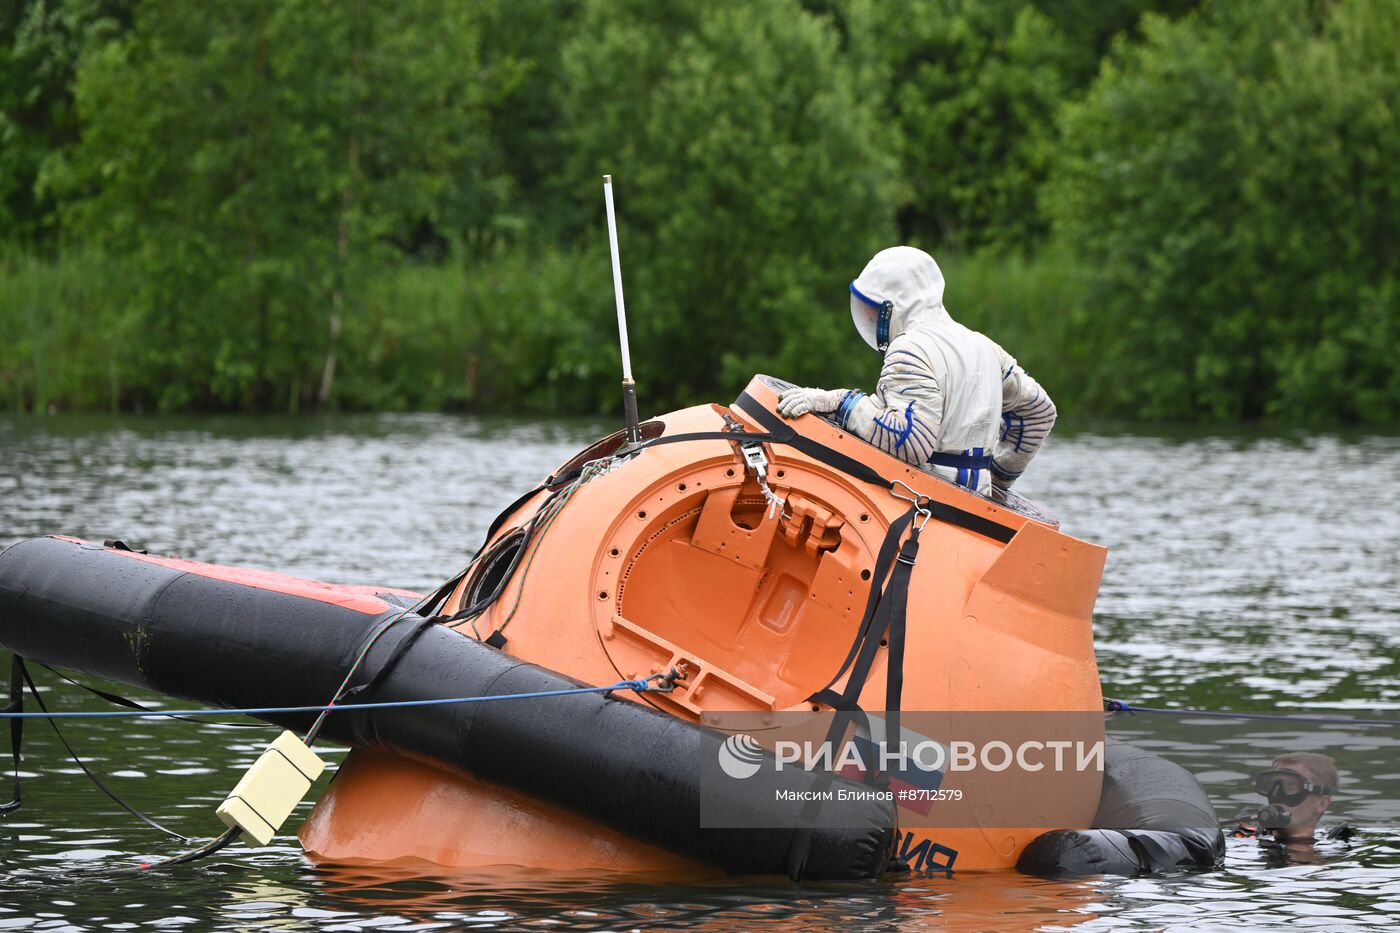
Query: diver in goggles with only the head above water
(1300, 788)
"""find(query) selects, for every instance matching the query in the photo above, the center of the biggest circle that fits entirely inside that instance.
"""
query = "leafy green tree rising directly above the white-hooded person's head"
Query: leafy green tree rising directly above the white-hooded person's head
(967, 92)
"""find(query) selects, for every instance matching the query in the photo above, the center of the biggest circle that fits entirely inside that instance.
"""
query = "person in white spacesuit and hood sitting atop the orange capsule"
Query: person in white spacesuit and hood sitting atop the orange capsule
(948, 399)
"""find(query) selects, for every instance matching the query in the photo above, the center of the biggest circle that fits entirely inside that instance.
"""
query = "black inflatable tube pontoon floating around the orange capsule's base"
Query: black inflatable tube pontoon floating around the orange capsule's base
(247, 640)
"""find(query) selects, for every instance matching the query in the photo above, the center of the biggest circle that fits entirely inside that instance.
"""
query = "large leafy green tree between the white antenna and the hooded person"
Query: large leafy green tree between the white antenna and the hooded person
(752, 187)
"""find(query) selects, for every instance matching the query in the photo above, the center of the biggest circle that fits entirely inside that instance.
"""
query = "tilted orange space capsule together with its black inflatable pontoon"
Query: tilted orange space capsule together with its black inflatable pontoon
(764, 568)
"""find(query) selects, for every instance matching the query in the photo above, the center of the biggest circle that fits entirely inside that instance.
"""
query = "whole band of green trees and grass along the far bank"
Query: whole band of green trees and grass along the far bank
(1164, 208)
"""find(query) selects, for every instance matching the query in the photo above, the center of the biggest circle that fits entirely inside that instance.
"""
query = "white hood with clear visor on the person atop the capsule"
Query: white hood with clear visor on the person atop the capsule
(911, 281)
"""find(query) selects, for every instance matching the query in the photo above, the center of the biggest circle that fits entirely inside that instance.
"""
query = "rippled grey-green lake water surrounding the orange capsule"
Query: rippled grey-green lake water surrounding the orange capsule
(1247, 572)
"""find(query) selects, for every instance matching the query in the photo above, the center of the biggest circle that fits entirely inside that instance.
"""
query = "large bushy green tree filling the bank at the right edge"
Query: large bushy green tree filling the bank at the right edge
(1234, 181)
